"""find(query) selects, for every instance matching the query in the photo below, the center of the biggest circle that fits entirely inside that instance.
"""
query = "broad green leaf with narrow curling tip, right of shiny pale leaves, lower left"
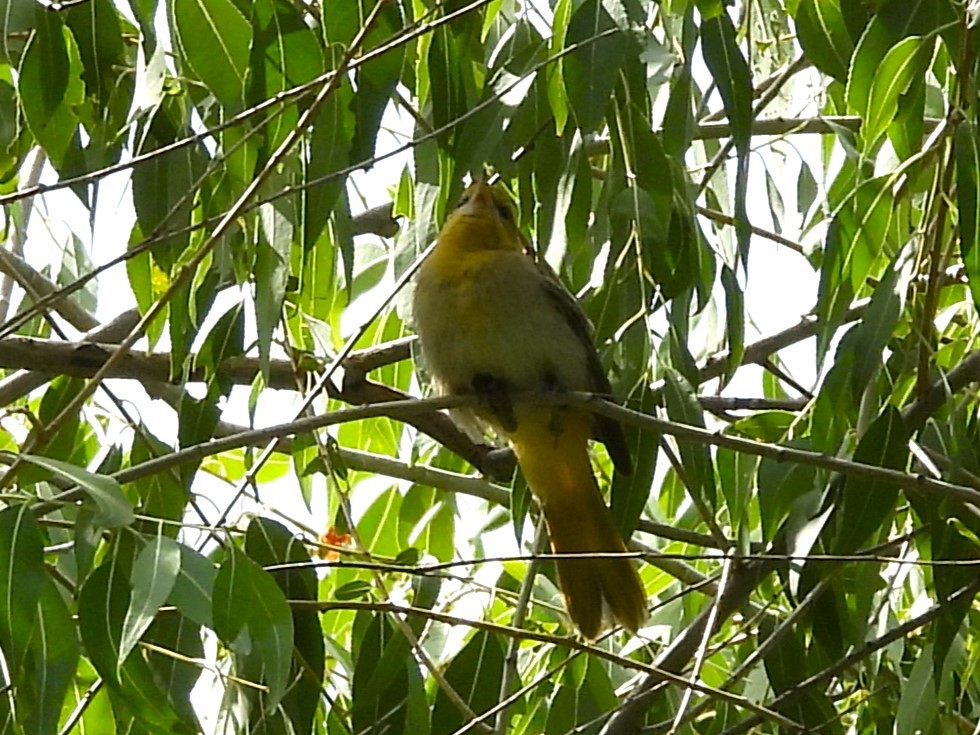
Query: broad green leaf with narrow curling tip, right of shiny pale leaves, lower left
(246, 598)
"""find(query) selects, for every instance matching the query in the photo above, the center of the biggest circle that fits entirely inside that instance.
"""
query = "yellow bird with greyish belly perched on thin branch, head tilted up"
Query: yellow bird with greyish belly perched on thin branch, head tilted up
(493, 322)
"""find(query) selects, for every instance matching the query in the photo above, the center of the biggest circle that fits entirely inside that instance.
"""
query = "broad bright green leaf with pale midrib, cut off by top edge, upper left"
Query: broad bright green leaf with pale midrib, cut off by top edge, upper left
(214, 38)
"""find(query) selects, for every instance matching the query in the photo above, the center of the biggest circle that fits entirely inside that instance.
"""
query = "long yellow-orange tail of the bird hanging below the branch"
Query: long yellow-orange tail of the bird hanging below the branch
(552, 449)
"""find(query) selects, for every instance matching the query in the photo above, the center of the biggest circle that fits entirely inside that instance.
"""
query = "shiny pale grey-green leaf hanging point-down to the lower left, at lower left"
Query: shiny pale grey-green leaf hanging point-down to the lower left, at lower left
(154, 572)
